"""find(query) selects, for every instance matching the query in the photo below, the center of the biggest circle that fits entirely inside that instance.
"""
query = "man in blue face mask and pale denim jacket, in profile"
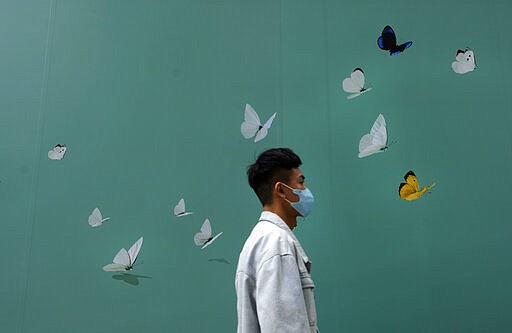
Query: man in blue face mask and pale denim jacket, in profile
(273, 283)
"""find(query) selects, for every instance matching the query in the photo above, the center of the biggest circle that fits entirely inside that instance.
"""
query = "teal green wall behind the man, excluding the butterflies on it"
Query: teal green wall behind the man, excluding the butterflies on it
(149, 96)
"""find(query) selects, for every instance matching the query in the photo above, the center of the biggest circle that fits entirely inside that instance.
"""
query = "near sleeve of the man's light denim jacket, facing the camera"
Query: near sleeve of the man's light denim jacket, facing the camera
(279, 296)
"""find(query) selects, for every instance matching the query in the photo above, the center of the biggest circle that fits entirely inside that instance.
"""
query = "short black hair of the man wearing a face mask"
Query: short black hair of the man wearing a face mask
(273, 165)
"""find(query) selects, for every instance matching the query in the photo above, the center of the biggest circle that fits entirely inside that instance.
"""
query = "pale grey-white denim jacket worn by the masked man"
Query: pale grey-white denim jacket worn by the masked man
(273, 282)
